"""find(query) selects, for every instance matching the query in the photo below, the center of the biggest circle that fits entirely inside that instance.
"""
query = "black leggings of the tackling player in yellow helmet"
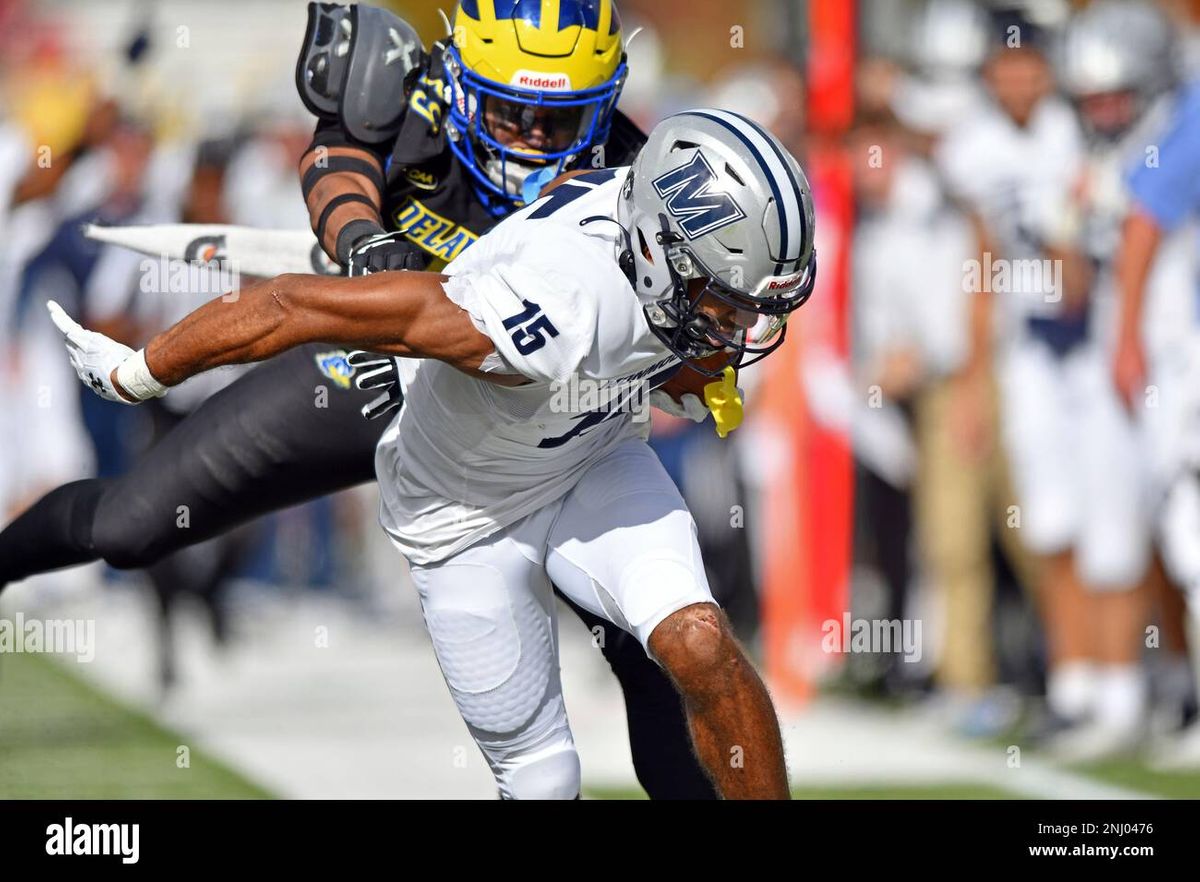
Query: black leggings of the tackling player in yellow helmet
(286, 434)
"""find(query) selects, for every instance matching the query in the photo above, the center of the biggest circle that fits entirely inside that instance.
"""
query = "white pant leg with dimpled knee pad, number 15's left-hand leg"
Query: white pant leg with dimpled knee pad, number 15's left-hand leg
(490, 611)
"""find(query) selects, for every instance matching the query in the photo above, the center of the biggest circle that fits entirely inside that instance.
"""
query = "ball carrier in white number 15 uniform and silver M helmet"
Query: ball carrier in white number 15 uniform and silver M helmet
(493, 487)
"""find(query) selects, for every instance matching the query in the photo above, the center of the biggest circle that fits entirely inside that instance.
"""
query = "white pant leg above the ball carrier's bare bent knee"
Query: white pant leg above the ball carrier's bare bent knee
(625, 544)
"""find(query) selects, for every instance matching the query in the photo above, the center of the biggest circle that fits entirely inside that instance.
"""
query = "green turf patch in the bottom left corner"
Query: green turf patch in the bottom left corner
(61, 739)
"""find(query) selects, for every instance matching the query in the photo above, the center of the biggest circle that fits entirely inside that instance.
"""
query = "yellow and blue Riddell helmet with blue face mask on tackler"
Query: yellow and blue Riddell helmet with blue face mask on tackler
(533, 86)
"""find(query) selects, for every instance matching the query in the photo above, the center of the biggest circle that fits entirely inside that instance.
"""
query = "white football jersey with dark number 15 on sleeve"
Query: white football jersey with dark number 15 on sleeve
(466, 458)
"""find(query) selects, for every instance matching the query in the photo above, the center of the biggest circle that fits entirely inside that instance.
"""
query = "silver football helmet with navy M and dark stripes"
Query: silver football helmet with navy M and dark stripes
(722, 229)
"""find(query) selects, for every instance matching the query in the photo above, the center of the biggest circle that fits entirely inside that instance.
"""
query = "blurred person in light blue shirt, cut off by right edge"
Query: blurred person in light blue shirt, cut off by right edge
(1156, 365)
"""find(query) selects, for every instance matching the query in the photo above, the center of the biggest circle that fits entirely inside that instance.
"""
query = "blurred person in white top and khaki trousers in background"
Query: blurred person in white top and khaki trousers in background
(910, 345)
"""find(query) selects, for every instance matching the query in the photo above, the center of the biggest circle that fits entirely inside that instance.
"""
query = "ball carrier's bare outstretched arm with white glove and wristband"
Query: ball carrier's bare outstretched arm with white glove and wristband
(400, 314)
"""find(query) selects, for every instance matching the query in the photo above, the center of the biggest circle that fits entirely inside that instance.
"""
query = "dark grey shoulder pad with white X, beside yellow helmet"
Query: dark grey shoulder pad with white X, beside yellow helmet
(355, 68)
